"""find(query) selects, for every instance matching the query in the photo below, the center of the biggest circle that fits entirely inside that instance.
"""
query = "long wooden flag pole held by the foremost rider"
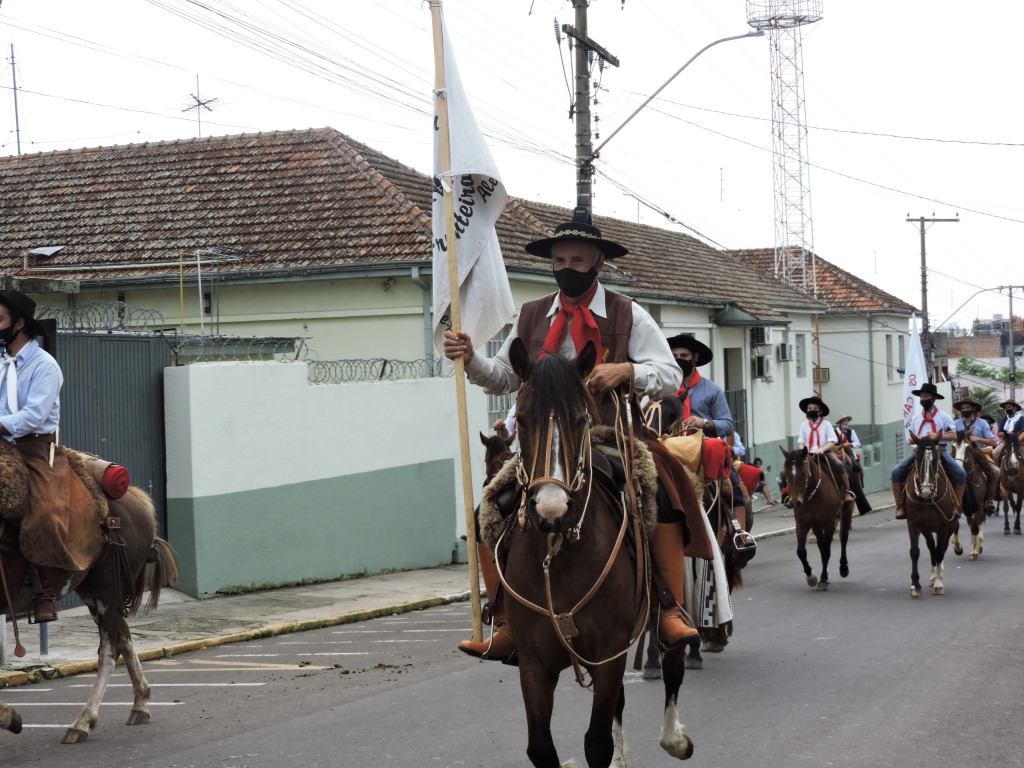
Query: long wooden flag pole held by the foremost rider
(460, 366)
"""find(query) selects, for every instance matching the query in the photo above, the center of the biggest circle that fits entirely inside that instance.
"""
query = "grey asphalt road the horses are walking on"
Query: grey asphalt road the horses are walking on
(859, 676)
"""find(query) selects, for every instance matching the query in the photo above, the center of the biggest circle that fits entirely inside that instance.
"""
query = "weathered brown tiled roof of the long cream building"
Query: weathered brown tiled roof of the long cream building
(301, 202)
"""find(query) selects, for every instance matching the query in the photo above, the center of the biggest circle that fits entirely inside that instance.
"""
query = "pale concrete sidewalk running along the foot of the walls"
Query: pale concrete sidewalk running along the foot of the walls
(183, 624)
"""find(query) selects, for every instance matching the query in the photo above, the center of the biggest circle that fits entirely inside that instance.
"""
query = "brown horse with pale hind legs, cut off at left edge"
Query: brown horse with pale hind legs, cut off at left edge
(133, 561)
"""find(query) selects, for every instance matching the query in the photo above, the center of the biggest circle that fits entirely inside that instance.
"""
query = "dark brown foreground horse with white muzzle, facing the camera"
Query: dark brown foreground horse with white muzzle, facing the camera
(578, 596)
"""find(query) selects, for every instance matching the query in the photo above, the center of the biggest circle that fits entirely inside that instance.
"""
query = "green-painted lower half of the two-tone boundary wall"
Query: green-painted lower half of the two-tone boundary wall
(398, 519)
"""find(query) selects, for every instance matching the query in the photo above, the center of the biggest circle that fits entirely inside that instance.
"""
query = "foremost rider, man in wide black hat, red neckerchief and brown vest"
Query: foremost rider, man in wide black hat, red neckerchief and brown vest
(631, 352)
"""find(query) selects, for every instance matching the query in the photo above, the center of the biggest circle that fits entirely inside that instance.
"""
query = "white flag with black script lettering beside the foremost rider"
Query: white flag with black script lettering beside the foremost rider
(479, 199)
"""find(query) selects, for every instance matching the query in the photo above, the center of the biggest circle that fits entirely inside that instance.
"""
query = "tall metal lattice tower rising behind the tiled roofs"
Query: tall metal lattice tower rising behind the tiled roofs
(783, 21)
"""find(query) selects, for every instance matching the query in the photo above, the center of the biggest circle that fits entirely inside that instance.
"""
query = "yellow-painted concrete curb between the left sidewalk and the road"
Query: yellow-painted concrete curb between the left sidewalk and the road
(27, 677)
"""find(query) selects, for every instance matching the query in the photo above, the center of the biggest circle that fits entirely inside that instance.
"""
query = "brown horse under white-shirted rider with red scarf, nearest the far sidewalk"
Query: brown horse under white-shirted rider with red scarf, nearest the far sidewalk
(819, 505)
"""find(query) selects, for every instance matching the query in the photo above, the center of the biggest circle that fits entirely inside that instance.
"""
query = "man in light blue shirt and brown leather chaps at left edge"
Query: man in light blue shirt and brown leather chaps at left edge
(30, 412)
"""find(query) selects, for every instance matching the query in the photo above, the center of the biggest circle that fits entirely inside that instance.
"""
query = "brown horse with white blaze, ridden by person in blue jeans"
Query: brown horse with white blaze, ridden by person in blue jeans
(931, 511)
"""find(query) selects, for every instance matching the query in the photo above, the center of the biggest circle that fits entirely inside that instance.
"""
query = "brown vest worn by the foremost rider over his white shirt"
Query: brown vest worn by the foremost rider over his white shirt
(616, 328)
